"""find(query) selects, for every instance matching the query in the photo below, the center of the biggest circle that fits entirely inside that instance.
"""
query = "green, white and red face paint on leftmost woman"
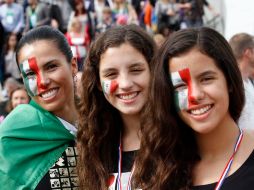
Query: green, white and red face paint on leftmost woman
(31, 75)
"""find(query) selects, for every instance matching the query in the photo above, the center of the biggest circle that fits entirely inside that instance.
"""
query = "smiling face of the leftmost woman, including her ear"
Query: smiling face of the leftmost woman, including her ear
(47, 75)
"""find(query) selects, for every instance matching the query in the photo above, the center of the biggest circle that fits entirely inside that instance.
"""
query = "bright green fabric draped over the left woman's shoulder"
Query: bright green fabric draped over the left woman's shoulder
(31, 141)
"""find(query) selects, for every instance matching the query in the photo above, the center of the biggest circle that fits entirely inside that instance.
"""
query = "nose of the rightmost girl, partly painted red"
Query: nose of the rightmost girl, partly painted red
(195, 93)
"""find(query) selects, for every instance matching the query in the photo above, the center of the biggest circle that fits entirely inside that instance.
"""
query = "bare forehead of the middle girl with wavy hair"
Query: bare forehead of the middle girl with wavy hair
(122, 56)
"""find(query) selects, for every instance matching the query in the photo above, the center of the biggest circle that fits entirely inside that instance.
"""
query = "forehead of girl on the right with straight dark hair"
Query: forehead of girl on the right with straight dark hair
(196, 61)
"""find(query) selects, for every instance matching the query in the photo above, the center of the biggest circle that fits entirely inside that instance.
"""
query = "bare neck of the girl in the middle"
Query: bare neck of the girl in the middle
(131, 132)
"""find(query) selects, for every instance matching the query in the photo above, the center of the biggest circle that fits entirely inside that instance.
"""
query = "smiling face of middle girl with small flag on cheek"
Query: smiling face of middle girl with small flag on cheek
(124, 75)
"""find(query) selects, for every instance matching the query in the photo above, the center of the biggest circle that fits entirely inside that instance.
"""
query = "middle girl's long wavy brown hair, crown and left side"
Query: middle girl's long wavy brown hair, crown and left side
(99, 122)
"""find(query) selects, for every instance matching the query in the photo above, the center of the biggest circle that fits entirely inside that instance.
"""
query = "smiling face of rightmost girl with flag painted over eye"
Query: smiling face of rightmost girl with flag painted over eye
(200, 89)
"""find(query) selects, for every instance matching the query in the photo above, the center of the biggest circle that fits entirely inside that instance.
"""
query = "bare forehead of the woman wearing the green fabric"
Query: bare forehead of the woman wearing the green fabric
(41, 50)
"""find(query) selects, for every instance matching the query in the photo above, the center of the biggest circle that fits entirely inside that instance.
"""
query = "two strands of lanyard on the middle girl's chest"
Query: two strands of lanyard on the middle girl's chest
(119, 182)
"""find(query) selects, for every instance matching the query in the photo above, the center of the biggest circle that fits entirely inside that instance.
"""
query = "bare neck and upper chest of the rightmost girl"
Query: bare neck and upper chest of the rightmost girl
(215, 149)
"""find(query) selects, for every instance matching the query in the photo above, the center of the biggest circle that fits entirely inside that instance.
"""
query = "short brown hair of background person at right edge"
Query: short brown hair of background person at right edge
(240, 42)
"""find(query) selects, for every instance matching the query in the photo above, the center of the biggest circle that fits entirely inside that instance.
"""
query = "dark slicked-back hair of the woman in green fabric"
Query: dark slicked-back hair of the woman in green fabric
(46, 33)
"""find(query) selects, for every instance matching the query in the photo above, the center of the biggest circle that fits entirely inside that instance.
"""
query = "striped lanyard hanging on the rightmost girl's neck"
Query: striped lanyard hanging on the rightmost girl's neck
(227, 168)
